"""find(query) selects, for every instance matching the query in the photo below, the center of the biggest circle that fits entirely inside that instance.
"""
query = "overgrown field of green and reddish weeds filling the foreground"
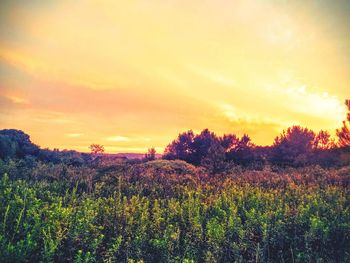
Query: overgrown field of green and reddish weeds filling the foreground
(171, 211)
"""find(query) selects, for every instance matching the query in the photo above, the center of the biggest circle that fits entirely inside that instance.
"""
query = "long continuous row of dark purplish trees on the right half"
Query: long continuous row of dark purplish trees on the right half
(296, 146)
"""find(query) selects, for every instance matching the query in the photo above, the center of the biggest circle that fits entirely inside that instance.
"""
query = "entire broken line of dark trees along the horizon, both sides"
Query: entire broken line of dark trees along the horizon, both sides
(297, 146)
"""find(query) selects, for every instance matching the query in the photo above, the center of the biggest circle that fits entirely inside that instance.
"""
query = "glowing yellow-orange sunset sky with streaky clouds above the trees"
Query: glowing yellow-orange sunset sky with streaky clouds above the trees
(133, 74)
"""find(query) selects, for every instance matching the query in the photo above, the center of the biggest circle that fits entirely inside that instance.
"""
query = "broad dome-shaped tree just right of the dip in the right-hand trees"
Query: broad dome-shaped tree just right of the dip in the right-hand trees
(293, 147)
